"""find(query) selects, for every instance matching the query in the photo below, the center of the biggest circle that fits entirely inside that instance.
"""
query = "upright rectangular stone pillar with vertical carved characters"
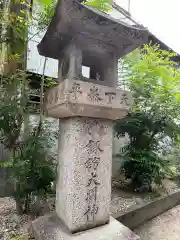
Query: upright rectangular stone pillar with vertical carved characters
(83, 192)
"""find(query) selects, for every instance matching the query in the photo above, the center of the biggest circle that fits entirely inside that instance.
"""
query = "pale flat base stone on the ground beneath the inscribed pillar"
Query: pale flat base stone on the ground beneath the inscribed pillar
(49, 227)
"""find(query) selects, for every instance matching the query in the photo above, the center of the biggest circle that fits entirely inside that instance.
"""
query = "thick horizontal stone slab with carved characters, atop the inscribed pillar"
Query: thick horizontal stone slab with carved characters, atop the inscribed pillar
(77, 98)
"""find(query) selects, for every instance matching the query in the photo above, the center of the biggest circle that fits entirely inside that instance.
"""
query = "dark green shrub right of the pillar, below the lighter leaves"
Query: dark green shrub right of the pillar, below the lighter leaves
(142, 163)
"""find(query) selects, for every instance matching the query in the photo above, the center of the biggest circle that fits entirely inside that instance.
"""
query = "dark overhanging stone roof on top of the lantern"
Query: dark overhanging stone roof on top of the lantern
(72, 18)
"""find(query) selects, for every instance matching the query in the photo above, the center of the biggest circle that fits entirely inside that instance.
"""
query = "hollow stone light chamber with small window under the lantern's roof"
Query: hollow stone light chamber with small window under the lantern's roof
(102, 62)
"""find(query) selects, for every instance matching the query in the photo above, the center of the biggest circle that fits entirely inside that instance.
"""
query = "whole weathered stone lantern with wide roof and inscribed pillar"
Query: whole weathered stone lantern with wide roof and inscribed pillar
(82, 36)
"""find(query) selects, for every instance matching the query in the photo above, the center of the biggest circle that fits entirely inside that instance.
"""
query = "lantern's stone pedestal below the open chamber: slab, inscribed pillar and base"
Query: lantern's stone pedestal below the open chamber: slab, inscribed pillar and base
(83, 192)
